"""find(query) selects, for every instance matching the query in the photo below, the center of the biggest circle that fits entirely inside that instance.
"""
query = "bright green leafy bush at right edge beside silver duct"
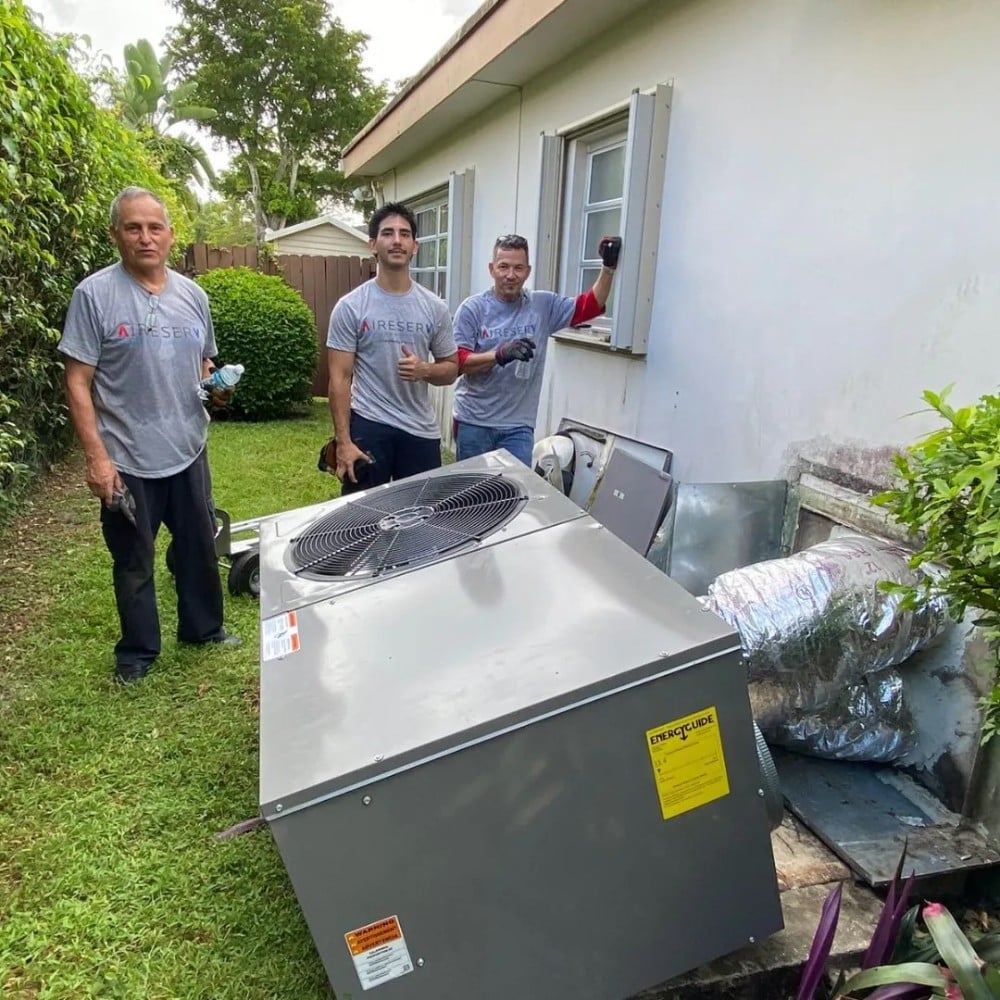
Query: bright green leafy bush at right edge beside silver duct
(949, 499)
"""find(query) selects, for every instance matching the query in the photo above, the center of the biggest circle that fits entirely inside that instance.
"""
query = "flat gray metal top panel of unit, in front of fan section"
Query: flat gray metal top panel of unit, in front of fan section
(425, 662)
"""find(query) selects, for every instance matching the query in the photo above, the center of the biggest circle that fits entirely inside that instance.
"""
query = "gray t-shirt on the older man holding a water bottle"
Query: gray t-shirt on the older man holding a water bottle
(147, 352)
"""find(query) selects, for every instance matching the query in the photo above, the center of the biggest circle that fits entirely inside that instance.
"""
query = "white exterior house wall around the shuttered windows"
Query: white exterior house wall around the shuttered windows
(830, 239)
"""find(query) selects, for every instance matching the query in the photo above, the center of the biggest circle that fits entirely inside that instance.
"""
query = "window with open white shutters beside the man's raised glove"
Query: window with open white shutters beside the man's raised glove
(605, 177)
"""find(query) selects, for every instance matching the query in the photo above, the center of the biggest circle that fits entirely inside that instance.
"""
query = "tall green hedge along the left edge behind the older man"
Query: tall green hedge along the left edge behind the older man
(62, 160)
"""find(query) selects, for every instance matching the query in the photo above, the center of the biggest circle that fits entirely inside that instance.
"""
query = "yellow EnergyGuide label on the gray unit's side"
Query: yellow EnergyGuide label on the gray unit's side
(688, 765)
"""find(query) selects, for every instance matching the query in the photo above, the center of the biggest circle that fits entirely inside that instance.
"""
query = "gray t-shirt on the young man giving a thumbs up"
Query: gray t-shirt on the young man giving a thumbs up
(373, 325)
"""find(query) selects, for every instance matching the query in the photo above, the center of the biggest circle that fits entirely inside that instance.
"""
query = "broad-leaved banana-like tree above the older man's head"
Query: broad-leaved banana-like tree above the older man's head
(149, 105)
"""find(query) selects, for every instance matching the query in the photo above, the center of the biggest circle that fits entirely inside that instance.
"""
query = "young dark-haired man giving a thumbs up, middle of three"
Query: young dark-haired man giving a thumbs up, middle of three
(382, 336)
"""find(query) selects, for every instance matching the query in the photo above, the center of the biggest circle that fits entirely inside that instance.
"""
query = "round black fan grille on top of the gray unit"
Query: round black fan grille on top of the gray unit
(405, 525)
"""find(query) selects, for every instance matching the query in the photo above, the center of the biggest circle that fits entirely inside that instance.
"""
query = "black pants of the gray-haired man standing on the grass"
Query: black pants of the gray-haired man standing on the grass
(183, 502)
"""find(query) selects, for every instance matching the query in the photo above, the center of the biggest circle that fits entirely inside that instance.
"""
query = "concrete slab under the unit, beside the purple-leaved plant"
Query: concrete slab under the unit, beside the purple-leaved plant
(770, 969)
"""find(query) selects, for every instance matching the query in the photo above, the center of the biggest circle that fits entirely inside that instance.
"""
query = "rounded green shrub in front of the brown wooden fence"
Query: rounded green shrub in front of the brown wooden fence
(266, 326)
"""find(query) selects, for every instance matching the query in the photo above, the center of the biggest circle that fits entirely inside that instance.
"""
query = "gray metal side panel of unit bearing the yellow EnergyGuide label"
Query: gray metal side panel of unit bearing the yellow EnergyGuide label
(538, 863)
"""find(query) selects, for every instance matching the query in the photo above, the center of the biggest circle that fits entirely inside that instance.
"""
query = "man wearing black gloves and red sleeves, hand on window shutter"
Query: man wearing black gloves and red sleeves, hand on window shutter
(502, 335)
